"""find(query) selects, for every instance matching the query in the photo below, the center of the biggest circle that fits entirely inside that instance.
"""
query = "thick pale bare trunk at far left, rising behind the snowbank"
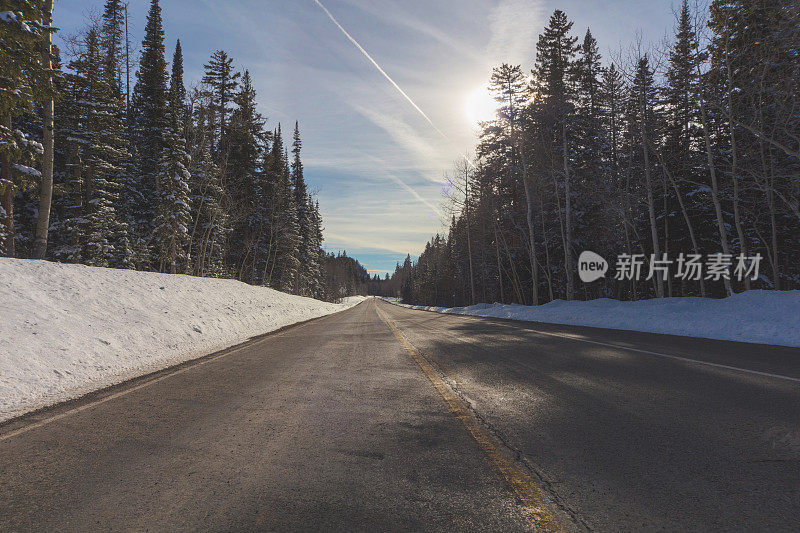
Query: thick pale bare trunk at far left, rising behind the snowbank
(46, 191)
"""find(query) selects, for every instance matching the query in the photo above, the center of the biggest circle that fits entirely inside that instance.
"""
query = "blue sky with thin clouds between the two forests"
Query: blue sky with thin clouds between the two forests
(375, 162)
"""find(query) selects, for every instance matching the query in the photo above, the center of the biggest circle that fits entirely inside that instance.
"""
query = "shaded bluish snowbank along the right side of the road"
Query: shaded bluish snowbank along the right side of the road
(764, 317)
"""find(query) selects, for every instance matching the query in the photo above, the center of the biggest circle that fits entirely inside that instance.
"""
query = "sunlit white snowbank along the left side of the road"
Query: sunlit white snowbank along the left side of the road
(66, 330)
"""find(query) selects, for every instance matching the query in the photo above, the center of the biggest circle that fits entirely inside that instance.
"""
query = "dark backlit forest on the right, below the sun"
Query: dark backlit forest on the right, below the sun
(693, 150)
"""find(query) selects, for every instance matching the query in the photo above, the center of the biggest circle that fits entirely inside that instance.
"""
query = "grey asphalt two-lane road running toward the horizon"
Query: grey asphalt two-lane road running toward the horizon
(383, 418)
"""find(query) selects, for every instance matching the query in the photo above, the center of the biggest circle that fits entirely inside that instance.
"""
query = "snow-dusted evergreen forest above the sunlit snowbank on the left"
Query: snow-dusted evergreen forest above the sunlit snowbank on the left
(156, 176)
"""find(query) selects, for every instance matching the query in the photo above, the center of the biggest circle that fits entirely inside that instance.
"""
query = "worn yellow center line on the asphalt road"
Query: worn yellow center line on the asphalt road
(535, 504)
